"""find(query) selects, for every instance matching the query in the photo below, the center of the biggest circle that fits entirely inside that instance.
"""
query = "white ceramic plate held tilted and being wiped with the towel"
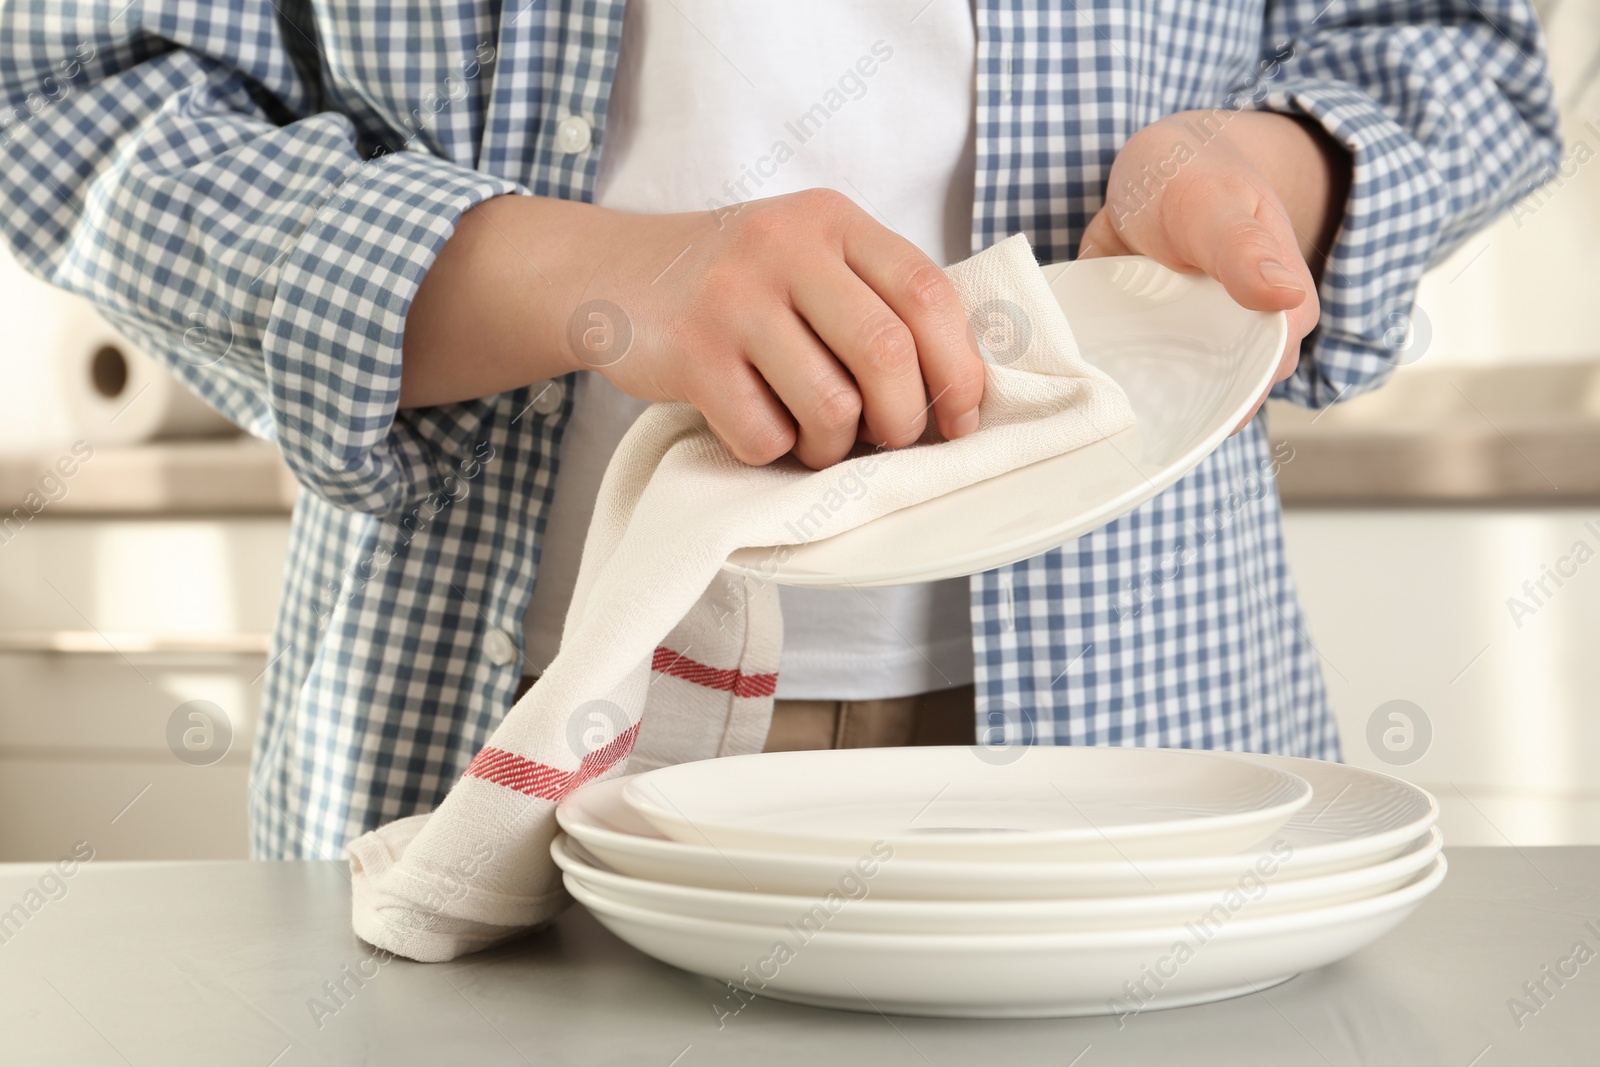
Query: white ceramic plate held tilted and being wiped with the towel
(1193, 364)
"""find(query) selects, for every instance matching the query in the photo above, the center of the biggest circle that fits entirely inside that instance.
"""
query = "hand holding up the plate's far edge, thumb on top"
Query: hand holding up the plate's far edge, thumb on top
(1247, 198)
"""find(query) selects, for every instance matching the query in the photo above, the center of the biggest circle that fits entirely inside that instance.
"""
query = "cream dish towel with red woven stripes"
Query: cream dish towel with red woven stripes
(668, 658)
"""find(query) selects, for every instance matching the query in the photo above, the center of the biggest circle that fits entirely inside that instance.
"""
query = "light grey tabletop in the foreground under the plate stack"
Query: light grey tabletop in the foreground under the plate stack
(231, 964)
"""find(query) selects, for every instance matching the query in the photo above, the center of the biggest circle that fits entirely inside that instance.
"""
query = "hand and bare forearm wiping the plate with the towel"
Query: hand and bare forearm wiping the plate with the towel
(794, 324)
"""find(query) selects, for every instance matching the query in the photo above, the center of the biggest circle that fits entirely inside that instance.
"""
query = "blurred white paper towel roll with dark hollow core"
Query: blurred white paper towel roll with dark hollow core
(119, 396)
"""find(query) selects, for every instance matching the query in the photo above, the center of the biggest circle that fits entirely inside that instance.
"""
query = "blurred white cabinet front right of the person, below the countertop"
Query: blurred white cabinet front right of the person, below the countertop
(1417, 605)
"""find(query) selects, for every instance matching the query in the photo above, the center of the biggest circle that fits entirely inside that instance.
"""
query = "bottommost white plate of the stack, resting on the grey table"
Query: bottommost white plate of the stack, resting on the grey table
(1012, 975)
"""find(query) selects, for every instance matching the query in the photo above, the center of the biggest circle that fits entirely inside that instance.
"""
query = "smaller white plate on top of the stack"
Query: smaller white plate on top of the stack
(967, 802)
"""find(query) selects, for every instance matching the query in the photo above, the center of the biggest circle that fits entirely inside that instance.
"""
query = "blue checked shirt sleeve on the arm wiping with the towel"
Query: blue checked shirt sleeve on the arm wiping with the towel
(169, 162)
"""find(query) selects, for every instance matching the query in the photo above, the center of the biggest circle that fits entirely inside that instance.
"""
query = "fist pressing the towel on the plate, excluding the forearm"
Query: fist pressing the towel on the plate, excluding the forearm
(794, 322)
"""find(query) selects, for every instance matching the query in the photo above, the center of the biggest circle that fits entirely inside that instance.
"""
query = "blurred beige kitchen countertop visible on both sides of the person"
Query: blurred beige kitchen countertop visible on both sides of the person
(1500, 436)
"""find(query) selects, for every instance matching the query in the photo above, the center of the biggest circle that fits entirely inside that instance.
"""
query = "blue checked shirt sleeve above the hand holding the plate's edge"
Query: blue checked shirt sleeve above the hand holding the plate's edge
(1449, 118)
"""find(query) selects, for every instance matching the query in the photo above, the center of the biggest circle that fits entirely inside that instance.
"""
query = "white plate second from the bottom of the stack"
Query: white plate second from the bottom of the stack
(854, 906)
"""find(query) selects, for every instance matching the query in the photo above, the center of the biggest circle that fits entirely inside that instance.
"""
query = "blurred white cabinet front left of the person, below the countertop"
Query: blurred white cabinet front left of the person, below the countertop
(108, 631)
